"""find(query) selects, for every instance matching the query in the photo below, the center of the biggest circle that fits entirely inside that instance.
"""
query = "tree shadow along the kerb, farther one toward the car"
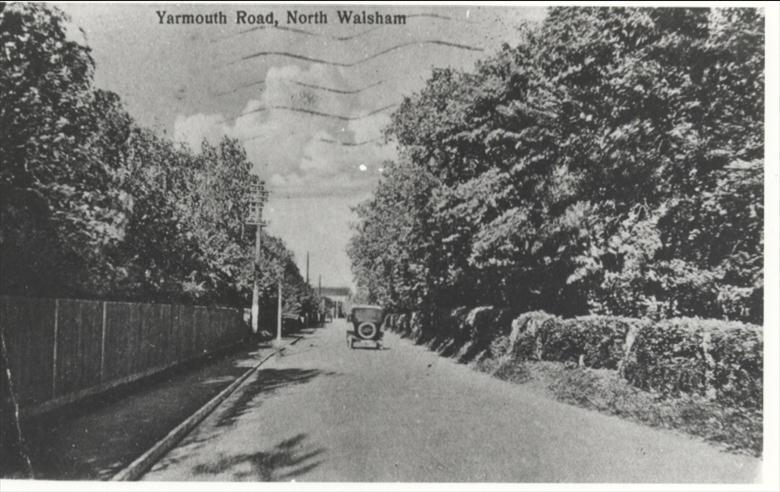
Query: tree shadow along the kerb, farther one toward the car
(267, 381)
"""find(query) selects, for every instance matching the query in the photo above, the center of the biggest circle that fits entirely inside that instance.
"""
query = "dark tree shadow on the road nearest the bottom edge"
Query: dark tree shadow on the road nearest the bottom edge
(286, 461)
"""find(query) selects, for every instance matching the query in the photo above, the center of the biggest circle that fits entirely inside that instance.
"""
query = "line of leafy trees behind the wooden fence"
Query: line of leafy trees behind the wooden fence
(94, 205)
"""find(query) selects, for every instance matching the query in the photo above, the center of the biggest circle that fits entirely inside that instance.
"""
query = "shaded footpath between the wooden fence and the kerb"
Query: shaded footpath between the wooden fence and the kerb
(97, 438)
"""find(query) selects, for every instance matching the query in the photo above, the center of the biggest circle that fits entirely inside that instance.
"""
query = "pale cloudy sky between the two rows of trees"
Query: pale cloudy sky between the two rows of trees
(308, 101)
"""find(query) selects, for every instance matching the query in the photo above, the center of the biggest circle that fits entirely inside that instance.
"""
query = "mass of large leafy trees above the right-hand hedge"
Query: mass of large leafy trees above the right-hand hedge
(610, 163)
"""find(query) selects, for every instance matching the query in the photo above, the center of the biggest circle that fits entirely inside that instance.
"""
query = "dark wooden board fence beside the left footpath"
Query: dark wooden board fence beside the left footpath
(61, 350)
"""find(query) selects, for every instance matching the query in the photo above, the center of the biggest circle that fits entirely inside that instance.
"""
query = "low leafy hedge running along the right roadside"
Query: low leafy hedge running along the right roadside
(720, 360)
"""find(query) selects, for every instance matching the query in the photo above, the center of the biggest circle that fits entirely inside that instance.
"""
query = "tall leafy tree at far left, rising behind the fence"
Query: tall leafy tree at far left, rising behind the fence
(57, 212)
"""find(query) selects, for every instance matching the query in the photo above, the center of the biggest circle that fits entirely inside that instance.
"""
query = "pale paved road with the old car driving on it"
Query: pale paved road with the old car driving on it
(324, 413)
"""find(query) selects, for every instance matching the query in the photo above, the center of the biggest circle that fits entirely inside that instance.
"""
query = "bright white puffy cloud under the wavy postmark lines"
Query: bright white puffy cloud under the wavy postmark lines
(290, 149)
